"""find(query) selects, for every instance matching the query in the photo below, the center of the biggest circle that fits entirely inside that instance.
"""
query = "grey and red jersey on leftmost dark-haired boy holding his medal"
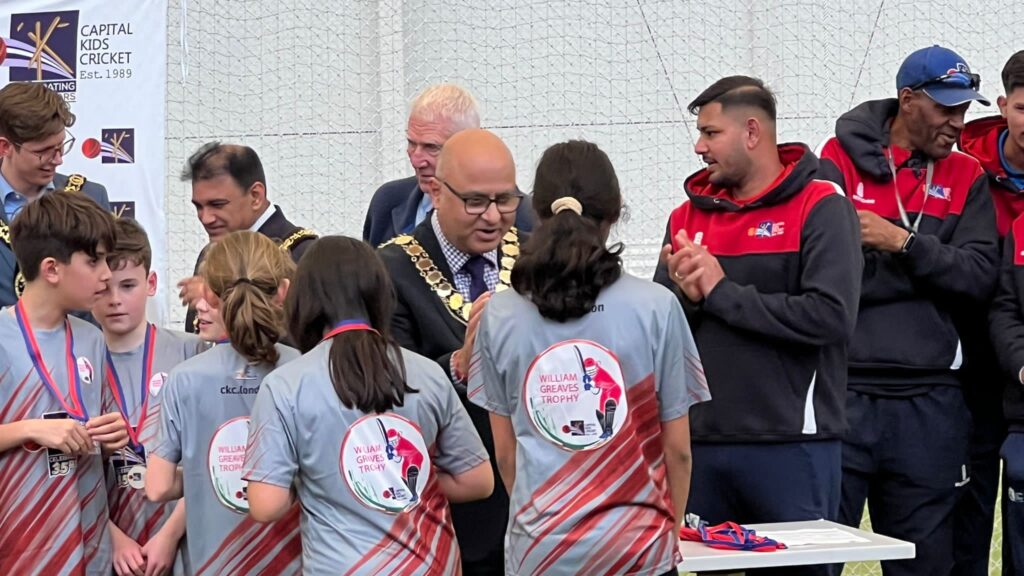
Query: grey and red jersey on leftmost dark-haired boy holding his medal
(53, 507)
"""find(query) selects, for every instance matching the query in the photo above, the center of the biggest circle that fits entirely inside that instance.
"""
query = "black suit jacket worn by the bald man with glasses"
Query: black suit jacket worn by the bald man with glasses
(423, 325)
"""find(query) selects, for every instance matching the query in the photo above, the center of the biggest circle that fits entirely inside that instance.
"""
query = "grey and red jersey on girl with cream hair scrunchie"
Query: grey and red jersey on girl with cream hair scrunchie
(586, 399)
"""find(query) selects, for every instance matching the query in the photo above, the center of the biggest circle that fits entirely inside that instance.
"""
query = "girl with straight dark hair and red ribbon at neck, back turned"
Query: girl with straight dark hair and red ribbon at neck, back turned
(373, 438)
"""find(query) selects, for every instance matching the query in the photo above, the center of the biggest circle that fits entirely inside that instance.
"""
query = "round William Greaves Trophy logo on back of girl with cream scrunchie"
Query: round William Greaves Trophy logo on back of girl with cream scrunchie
(575, 395)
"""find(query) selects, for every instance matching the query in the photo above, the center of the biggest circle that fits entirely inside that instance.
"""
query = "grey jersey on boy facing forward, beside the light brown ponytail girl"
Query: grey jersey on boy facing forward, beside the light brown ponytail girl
(131, 511)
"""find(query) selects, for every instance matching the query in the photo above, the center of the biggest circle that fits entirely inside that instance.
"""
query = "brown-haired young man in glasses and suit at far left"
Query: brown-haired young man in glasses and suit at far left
(34, 141)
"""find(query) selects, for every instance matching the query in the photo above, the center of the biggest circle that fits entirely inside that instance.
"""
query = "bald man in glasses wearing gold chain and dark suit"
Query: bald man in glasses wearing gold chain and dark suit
(444, 274)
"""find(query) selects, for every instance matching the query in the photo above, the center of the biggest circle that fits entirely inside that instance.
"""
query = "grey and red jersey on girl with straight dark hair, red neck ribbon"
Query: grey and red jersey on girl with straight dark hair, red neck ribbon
(371, 503)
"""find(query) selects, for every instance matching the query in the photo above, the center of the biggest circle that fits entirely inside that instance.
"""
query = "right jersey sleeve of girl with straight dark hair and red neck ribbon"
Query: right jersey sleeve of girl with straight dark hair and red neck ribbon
(459, 448)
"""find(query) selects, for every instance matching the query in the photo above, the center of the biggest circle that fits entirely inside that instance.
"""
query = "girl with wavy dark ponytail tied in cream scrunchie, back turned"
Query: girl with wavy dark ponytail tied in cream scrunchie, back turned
(589, 375)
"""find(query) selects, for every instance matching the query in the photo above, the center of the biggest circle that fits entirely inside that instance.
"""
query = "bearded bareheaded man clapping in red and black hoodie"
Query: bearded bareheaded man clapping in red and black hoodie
(766, 262)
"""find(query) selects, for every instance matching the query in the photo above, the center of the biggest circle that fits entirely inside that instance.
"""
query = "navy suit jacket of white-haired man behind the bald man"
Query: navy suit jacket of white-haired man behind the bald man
(393, 212)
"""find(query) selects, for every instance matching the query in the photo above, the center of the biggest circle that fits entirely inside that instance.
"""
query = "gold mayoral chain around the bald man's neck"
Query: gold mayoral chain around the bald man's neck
(454, 302)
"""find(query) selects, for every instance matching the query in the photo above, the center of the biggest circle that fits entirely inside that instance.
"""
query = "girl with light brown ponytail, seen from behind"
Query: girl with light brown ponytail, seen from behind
(205, 409)
